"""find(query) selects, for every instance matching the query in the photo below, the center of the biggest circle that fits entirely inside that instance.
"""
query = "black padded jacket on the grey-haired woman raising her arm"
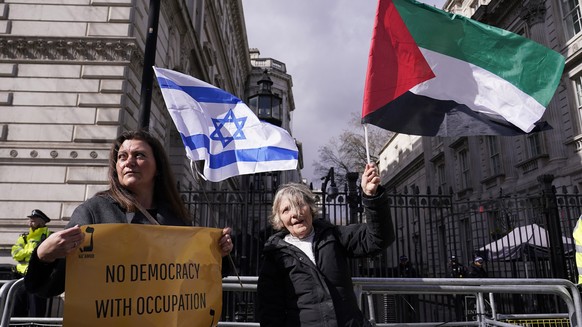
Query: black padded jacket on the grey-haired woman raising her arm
(292, 291)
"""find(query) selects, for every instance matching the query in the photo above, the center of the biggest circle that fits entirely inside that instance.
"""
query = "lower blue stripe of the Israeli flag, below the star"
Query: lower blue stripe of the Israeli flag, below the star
(226, 158)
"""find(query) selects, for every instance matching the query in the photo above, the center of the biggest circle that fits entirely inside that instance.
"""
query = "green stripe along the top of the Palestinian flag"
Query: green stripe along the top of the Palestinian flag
(531, 67)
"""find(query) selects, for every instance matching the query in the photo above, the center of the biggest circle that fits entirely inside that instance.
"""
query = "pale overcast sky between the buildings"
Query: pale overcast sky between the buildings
(324, 44)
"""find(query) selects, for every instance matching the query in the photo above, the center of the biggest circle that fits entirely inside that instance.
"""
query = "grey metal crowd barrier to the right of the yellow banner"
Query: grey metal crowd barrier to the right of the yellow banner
(365, 288)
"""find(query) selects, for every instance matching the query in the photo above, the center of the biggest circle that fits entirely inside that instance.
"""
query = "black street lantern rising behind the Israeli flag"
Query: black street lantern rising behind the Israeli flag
(266, 104)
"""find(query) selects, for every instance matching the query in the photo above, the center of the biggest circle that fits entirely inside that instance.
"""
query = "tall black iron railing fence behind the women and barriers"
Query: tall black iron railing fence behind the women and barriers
(429, 229)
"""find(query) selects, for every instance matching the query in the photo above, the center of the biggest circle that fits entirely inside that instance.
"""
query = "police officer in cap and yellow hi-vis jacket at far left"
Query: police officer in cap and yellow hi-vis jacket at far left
(29, 304)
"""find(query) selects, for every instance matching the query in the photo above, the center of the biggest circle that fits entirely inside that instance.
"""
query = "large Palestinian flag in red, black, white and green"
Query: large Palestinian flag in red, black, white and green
(435, 73)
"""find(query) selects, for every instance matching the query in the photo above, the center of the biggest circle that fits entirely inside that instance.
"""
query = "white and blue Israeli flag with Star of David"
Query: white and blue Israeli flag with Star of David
(220, 129)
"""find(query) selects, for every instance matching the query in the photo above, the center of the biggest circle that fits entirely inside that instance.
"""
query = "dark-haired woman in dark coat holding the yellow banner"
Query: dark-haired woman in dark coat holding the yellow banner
(142, 190)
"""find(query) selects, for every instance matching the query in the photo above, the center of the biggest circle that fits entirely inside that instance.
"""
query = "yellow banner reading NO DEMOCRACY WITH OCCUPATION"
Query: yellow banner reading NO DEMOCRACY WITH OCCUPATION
(144, 275)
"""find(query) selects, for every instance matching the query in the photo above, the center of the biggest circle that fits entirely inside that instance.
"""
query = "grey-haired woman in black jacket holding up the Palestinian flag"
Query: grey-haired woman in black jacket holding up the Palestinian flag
(305, 277)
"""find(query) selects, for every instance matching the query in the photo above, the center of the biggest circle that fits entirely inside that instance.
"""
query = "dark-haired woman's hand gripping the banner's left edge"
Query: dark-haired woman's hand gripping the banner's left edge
(60, 244)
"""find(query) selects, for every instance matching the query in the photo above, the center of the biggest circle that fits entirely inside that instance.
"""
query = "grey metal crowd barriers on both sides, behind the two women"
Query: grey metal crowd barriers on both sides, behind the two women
(367, 288)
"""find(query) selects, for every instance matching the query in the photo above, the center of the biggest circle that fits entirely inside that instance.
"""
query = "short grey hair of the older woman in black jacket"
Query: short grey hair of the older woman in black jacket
(298, 194)
